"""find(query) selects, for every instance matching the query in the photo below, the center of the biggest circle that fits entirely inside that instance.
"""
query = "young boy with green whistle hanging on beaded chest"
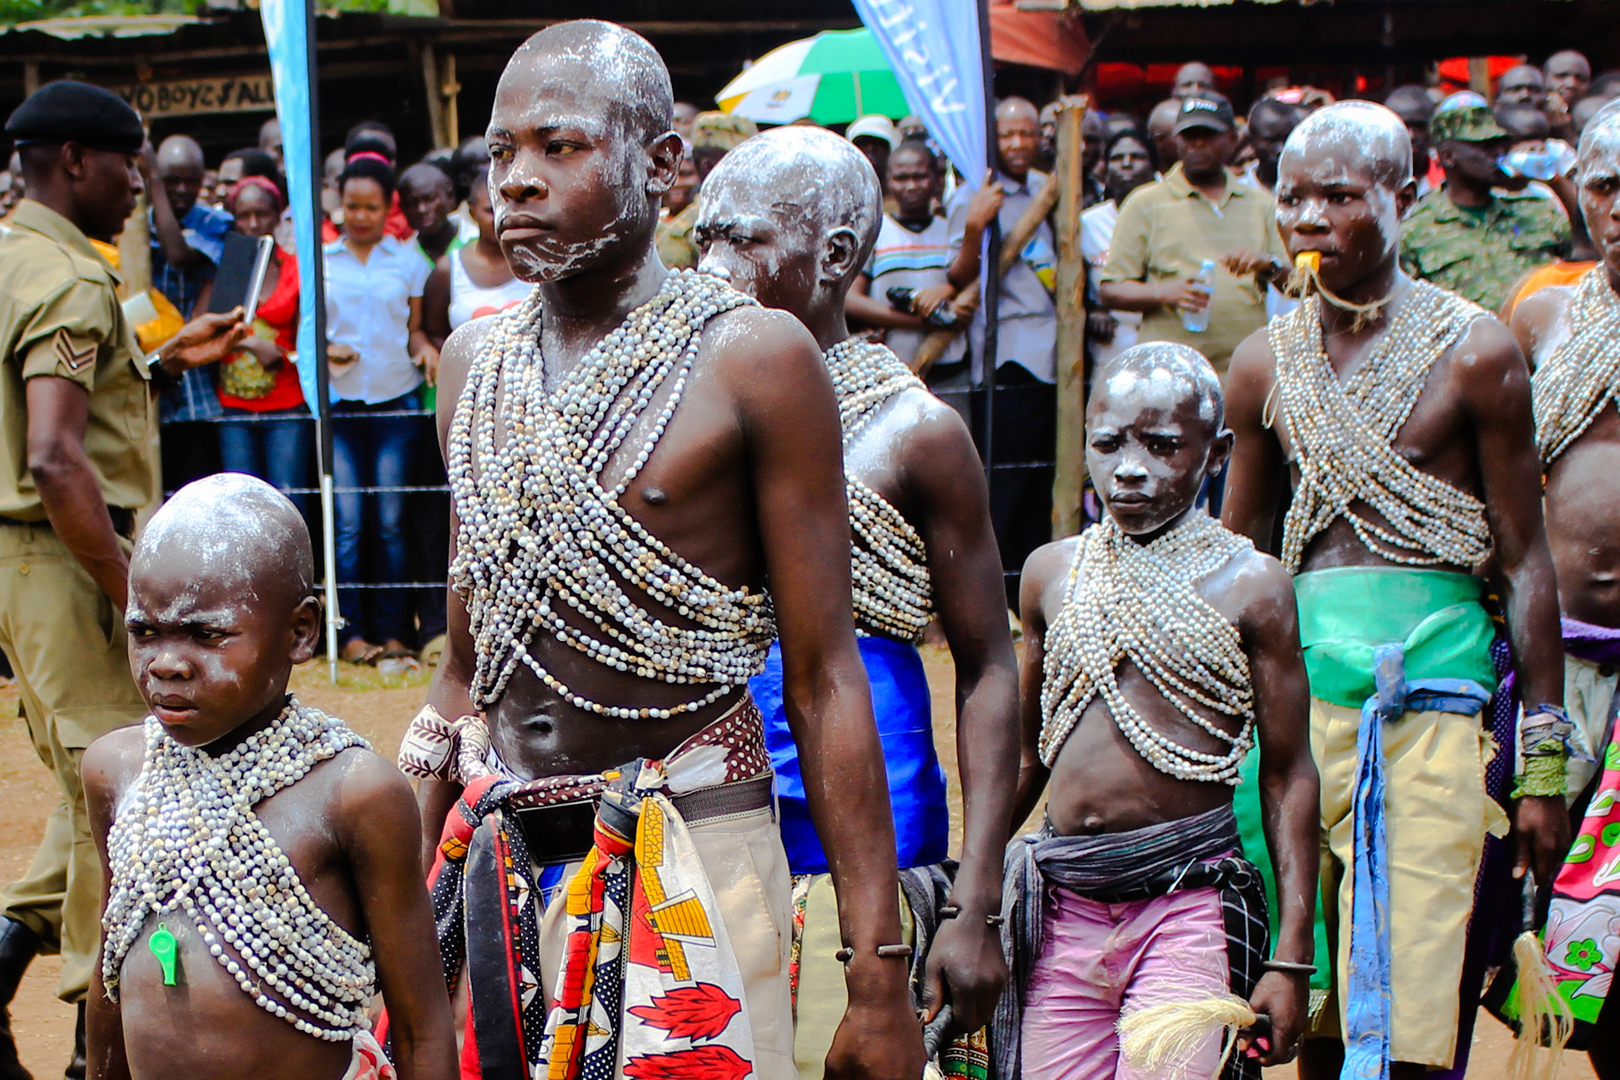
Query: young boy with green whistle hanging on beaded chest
(262, 882)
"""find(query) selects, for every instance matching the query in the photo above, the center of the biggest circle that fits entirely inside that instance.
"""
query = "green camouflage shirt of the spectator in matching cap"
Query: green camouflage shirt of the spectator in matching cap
(1481, 255)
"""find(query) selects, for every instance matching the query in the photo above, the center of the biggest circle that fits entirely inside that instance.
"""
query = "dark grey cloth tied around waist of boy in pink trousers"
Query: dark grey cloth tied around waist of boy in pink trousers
(1200, 853)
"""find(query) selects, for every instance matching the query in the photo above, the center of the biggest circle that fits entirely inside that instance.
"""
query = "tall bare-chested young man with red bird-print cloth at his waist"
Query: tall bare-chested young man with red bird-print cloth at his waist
(633, 456)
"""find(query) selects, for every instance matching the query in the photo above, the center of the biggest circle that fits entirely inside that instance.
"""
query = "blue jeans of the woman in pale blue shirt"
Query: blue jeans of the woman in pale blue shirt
(373, 453)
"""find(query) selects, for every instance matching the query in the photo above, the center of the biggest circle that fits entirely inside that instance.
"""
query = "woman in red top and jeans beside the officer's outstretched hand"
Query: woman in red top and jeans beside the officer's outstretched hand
(262, 380)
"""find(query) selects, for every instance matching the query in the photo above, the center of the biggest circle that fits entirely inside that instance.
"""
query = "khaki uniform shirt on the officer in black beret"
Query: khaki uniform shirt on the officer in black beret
(61, 317)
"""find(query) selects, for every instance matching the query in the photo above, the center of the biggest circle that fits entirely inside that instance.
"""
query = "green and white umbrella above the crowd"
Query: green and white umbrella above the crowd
(835, 77)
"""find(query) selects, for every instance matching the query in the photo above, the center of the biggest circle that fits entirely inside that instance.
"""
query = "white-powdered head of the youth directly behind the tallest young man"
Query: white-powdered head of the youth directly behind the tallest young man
(790, 218)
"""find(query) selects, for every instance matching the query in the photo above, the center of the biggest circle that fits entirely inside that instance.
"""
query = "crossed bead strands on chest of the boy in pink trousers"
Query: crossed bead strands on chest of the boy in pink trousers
(1141, 603)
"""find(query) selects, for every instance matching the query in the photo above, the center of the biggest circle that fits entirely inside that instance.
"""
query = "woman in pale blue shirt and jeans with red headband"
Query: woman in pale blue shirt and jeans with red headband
(380, 359)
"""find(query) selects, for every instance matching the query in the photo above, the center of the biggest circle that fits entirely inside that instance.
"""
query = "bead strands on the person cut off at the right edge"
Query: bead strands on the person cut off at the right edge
(1584, 375)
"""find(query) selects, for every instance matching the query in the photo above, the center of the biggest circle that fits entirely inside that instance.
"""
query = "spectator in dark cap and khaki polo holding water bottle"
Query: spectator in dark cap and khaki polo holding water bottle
(1200, 211)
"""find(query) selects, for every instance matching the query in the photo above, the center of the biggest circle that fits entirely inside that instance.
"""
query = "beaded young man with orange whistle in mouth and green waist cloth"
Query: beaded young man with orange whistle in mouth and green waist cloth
(1386, 535)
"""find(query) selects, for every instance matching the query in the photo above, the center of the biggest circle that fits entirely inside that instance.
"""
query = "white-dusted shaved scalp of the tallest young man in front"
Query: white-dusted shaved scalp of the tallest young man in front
(618, 64)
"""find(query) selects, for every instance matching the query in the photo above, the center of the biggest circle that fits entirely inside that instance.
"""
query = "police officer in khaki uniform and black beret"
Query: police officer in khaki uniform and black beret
(79, 459)
